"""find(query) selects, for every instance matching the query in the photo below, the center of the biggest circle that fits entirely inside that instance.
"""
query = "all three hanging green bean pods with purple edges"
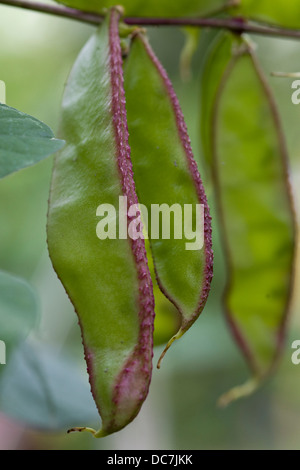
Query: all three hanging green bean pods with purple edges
(126, 136)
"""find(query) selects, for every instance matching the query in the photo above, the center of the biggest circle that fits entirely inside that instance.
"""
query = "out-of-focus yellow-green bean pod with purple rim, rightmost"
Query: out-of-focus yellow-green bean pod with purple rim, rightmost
(256, 214)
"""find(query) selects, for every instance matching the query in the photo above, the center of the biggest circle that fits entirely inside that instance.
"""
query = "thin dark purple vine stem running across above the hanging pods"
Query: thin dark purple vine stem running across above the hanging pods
(238, 25)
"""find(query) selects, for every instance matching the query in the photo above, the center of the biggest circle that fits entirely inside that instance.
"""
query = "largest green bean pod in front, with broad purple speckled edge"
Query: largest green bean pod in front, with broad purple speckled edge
(107, 280)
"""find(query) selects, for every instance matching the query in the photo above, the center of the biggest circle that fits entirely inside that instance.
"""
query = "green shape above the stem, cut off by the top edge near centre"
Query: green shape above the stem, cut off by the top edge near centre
(155, 8)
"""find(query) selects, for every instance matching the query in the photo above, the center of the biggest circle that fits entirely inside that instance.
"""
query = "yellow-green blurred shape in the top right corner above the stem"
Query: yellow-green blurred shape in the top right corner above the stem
(279, 12)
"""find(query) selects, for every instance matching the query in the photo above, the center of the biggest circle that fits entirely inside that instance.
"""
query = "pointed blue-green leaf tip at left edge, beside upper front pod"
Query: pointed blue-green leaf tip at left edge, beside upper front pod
(24, 140)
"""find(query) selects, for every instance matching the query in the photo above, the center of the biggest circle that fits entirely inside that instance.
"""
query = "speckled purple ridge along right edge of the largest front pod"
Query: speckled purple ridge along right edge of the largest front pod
(132, 384)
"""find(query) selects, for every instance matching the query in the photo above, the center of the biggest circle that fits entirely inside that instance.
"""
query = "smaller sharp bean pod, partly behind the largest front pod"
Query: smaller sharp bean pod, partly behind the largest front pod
(166, 173)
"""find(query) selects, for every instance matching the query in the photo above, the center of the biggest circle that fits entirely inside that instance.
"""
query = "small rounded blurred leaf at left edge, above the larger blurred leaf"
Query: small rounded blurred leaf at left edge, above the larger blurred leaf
(19, 309)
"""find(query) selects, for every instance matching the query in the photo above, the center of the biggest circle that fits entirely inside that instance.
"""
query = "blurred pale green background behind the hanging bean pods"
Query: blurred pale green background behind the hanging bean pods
(36, 54)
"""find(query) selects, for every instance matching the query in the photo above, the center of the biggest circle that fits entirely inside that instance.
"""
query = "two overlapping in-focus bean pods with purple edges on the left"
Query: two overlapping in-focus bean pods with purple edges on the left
(108, 281)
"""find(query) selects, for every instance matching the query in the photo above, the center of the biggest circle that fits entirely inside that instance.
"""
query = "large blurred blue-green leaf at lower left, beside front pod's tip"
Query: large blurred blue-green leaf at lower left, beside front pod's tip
(45, 391)
